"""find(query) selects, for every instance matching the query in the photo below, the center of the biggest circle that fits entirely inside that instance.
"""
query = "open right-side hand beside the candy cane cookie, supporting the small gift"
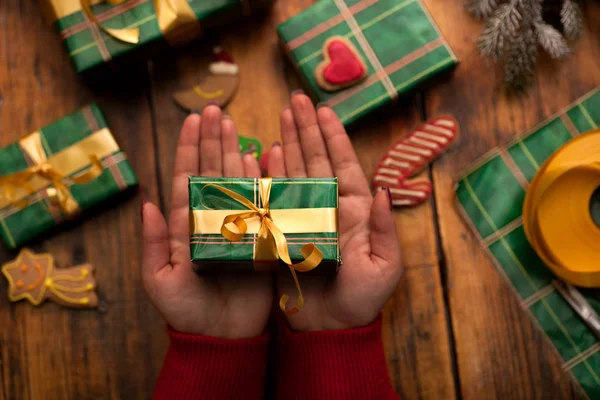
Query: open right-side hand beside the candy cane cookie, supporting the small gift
(315, 144)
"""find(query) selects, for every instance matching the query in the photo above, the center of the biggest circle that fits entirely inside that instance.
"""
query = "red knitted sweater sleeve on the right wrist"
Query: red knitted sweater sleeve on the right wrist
(344, 364)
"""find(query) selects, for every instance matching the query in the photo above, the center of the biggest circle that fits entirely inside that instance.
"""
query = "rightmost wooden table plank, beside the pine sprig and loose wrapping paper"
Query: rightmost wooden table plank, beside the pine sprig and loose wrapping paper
(500, 354)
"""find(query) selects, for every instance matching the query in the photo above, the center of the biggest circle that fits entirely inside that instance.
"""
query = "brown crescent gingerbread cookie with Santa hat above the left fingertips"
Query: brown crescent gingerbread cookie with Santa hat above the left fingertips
(217, 84)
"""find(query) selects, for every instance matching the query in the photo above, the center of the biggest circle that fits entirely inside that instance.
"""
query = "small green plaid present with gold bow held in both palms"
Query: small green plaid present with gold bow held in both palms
(256, 224)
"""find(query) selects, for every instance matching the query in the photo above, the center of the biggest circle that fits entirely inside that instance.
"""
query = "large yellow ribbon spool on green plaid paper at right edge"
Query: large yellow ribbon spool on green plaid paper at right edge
(557, 211)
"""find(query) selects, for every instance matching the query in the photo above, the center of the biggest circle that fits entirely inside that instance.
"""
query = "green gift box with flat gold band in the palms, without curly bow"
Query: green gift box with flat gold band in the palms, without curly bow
(304, 210)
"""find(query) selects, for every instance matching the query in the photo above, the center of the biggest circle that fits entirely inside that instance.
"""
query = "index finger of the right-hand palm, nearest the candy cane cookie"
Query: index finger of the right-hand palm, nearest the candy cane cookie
(351, 178)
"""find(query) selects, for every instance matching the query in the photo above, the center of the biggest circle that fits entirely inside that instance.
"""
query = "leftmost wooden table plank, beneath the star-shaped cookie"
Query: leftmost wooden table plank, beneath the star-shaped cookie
(51, 352)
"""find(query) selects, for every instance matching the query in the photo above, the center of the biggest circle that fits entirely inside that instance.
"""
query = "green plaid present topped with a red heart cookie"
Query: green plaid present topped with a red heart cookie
(356, 56)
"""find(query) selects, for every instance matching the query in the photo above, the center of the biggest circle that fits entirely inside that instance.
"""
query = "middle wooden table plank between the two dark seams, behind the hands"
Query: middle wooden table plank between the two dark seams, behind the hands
(416, 333)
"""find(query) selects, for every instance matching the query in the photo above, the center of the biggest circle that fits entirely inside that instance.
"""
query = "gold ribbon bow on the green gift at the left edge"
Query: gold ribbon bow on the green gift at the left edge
(57, 191)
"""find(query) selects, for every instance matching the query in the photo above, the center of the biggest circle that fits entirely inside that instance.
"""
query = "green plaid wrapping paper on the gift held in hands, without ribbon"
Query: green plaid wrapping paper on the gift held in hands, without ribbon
(212, 250)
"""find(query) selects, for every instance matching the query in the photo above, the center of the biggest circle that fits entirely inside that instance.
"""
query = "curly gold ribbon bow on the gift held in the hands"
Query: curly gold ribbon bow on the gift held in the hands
(271, 243)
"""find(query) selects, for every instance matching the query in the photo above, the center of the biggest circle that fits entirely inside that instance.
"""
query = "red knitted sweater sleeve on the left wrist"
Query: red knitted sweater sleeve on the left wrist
(201, 367)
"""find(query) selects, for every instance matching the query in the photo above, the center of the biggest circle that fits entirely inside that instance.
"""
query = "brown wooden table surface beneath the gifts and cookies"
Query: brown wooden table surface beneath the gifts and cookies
(452, 328)
